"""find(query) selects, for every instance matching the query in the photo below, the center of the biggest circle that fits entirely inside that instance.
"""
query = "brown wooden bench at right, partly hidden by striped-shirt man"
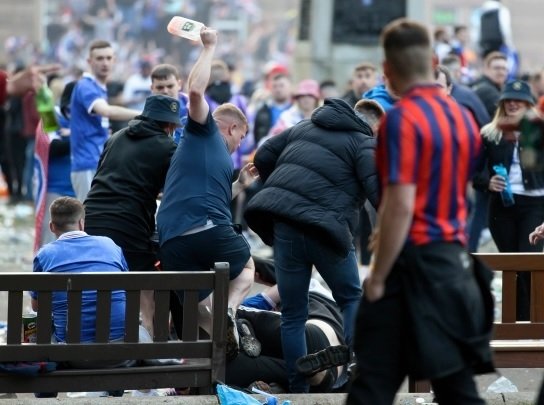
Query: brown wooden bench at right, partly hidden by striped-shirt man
(514, 344)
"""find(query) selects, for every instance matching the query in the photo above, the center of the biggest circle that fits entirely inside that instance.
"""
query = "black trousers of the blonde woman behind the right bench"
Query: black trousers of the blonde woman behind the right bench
(510, 228)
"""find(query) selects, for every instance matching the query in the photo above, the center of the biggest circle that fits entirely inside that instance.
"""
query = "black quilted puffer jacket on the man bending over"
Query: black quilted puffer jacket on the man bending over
(317, 175)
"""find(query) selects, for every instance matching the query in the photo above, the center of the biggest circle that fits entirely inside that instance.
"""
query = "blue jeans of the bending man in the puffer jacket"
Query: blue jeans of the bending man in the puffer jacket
(295, 251)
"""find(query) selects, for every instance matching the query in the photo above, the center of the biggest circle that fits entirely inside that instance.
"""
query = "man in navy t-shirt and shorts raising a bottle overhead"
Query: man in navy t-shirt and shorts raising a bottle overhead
(194, 220)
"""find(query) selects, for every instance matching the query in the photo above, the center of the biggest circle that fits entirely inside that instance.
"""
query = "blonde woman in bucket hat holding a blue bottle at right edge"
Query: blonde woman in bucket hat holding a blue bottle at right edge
(510, 224)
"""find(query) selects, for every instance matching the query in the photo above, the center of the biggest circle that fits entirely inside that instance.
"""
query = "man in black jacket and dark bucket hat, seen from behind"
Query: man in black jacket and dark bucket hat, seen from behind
(131, 172)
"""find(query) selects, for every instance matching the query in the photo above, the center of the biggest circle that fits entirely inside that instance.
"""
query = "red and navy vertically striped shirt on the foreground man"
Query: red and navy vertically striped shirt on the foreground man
(430, 141)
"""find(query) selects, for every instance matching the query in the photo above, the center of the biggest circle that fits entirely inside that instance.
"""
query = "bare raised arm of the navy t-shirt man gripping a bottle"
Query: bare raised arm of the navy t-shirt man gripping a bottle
(200, 76)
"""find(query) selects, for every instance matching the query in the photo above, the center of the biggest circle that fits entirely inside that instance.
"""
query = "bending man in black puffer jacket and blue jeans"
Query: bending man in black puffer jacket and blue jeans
(316, 177)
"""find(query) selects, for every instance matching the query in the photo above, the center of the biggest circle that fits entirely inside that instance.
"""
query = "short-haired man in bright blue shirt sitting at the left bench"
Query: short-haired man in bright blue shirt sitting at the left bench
(75, 252)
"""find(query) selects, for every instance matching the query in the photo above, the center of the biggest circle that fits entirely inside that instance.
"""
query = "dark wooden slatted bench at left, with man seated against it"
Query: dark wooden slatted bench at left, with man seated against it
(204, 357)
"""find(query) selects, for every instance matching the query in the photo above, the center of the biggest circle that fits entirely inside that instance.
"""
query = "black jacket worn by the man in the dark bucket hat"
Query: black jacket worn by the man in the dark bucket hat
(130, 175)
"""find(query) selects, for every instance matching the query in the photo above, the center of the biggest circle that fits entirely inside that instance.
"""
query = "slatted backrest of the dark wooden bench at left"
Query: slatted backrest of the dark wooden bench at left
(190, 345)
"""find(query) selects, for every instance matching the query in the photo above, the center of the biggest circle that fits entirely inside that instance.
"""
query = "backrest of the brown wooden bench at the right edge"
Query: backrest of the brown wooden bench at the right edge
(509, 264)
